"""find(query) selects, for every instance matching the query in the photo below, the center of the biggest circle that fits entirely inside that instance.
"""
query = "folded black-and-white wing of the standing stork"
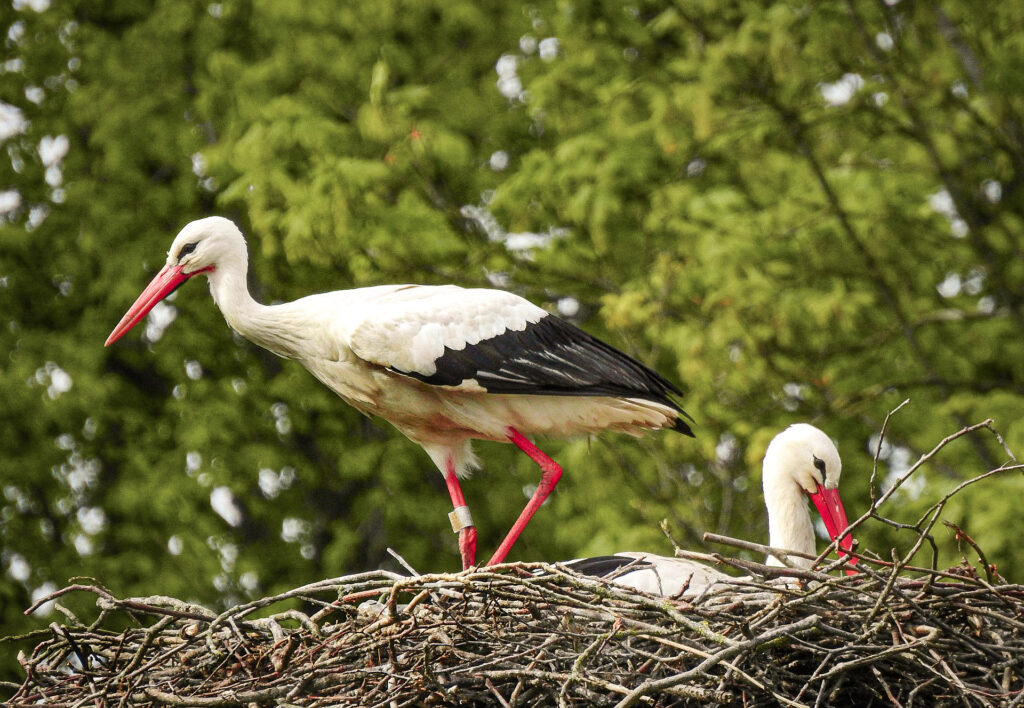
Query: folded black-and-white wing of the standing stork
(451, 337)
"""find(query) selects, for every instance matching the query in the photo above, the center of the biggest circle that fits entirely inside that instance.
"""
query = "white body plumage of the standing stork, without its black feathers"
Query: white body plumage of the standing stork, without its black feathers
(359, 341)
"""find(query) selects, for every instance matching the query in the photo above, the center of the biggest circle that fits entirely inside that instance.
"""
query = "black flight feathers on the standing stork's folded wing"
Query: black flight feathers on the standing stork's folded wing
(552, 357)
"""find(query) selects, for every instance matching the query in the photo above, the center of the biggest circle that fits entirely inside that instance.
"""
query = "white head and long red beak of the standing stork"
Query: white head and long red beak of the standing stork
(212, 246)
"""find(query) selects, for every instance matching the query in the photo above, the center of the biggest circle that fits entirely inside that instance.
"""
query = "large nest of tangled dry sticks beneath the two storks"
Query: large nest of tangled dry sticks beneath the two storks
(525, 635)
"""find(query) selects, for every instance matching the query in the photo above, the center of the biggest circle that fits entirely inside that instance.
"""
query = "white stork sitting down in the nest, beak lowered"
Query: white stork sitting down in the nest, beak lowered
(802, 462)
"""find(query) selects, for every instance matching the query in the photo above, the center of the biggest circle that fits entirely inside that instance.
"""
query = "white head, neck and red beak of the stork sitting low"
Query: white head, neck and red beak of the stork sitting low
(802, 461)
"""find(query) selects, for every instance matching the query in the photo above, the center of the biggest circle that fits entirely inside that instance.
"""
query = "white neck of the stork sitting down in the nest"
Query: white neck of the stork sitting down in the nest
(790, 524)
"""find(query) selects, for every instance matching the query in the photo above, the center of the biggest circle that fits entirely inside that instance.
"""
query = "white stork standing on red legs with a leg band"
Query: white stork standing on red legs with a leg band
(443, 364)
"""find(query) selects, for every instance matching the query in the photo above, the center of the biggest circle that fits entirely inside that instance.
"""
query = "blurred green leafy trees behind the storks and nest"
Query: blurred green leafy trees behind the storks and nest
(797, 212)
